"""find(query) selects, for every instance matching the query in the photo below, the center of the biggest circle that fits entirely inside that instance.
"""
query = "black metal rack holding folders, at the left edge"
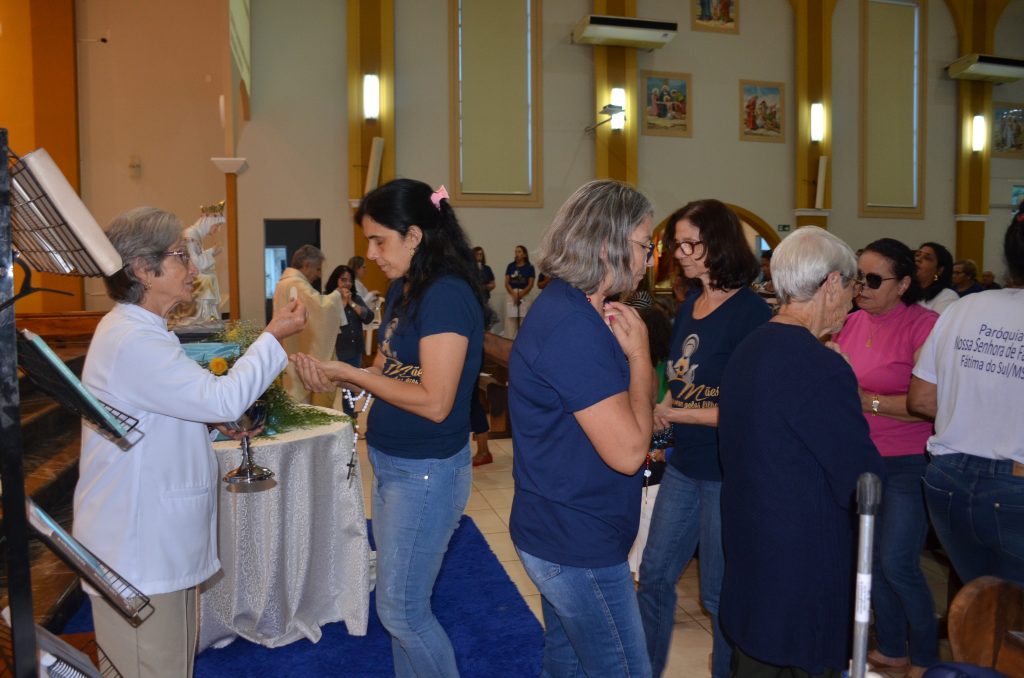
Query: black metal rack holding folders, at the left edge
(52, 244)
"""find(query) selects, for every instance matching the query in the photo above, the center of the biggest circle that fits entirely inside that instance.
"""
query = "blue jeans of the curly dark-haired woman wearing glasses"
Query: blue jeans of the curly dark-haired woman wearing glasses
(687, 512)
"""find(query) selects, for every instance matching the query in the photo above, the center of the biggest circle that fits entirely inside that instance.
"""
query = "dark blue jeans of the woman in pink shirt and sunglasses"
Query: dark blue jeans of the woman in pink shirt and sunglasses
(901, 596)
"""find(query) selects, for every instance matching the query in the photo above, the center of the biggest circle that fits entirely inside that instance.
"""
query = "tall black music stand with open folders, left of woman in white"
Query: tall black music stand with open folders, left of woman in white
(45, 223)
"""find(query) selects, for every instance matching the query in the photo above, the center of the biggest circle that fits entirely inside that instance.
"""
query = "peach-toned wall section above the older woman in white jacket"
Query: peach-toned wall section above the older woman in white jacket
(152, 93)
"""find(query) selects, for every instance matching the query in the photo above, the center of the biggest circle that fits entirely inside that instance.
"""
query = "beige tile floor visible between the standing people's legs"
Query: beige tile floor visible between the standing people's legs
(490, 505)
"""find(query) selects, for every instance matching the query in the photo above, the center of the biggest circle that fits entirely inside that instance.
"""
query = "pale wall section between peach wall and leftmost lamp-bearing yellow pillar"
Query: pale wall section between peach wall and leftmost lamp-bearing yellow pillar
(296, 141)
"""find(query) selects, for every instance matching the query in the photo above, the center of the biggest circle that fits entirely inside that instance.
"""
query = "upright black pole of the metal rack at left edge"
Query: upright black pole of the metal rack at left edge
(16, 526)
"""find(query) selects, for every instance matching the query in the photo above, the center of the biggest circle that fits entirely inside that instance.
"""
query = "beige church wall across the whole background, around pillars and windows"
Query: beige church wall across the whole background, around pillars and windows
(154, 90)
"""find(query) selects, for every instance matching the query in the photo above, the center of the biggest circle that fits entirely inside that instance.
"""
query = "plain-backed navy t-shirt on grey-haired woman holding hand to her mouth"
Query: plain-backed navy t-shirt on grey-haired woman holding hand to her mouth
(570, 506)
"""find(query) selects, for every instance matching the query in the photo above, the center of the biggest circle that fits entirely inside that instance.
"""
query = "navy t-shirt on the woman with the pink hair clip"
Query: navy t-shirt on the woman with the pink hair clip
(448, 306)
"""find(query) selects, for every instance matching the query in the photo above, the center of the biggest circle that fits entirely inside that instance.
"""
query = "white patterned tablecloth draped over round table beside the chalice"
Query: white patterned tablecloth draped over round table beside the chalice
(294, 549)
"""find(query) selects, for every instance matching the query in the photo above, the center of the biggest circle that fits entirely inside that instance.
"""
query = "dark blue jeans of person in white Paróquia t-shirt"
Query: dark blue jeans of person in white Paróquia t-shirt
(977, 508)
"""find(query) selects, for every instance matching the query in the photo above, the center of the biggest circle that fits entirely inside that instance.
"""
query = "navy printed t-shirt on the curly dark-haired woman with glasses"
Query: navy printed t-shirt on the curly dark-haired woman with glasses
(698, 356)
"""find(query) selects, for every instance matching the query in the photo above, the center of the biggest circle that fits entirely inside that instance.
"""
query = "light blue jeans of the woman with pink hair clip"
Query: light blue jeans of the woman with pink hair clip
(416, 508)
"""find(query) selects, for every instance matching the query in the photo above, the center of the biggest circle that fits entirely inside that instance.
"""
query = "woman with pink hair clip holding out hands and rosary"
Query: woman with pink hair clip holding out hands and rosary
(418, 431)
